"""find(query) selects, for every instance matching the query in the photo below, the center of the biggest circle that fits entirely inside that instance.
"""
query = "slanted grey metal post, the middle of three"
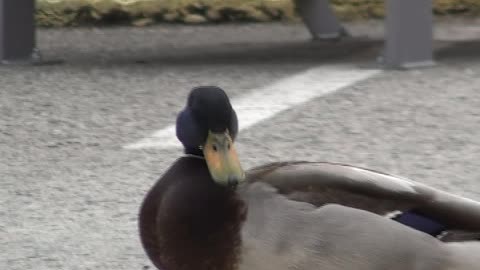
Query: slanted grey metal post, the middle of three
(320, 19)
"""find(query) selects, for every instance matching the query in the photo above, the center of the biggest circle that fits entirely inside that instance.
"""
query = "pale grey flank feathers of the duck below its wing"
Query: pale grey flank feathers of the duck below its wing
(281, 234)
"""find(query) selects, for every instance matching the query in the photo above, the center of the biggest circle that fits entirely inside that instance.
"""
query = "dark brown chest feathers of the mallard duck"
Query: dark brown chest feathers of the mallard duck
(190, 222)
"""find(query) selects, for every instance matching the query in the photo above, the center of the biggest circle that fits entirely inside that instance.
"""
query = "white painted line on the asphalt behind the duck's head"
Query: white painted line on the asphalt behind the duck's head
(263, 103)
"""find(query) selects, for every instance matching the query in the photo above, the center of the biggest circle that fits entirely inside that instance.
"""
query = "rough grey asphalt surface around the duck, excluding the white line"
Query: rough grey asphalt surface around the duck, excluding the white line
(70, 192)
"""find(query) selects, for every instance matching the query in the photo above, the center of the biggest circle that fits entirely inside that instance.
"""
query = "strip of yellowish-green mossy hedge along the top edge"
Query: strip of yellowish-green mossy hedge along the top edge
(146, 12)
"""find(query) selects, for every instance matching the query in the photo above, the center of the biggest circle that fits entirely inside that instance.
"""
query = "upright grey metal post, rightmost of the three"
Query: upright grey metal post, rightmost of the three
(409, 34)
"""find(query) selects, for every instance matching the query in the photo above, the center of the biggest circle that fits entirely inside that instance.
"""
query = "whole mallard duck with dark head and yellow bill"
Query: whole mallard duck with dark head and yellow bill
(207, 213)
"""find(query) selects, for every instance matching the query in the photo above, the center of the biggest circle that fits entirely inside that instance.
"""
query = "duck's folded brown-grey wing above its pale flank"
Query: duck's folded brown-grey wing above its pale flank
(321, 183)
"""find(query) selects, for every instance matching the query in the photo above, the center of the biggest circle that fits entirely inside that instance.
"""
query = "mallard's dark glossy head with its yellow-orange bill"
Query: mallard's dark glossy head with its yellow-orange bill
(207, 127)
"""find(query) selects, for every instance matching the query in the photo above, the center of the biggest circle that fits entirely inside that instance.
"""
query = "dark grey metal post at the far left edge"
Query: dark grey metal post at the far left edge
(17, 30)
